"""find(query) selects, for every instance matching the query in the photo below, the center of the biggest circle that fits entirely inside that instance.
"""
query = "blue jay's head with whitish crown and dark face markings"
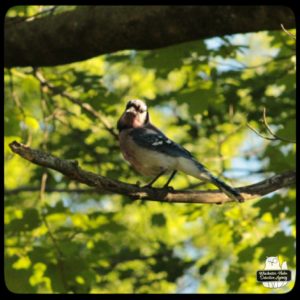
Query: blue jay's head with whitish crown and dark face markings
(135, 115)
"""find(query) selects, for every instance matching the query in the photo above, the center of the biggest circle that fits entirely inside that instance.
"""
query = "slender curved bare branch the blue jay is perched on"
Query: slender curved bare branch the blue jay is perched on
(73, 171)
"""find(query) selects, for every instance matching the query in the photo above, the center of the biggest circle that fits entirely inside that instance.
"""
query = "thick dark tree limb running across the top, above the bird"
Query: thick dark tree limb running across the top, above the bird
(89, 31)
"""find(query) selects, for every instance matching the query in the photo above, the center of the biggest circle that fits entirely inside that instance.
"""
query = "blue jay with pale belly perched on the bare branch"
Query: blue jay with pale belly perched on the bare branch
(151, 153)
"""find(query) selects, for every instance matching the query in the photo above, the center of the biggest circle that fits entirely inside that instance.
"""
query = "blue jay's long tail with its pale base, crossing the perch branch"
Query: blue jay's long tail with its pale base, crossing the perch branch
(194, 168)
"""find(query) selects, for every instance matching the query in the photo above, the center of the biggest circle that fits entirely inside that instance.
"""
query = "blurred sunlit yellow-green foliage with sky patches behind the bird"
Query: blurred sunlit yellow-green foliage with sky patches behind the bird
(202, 94)
